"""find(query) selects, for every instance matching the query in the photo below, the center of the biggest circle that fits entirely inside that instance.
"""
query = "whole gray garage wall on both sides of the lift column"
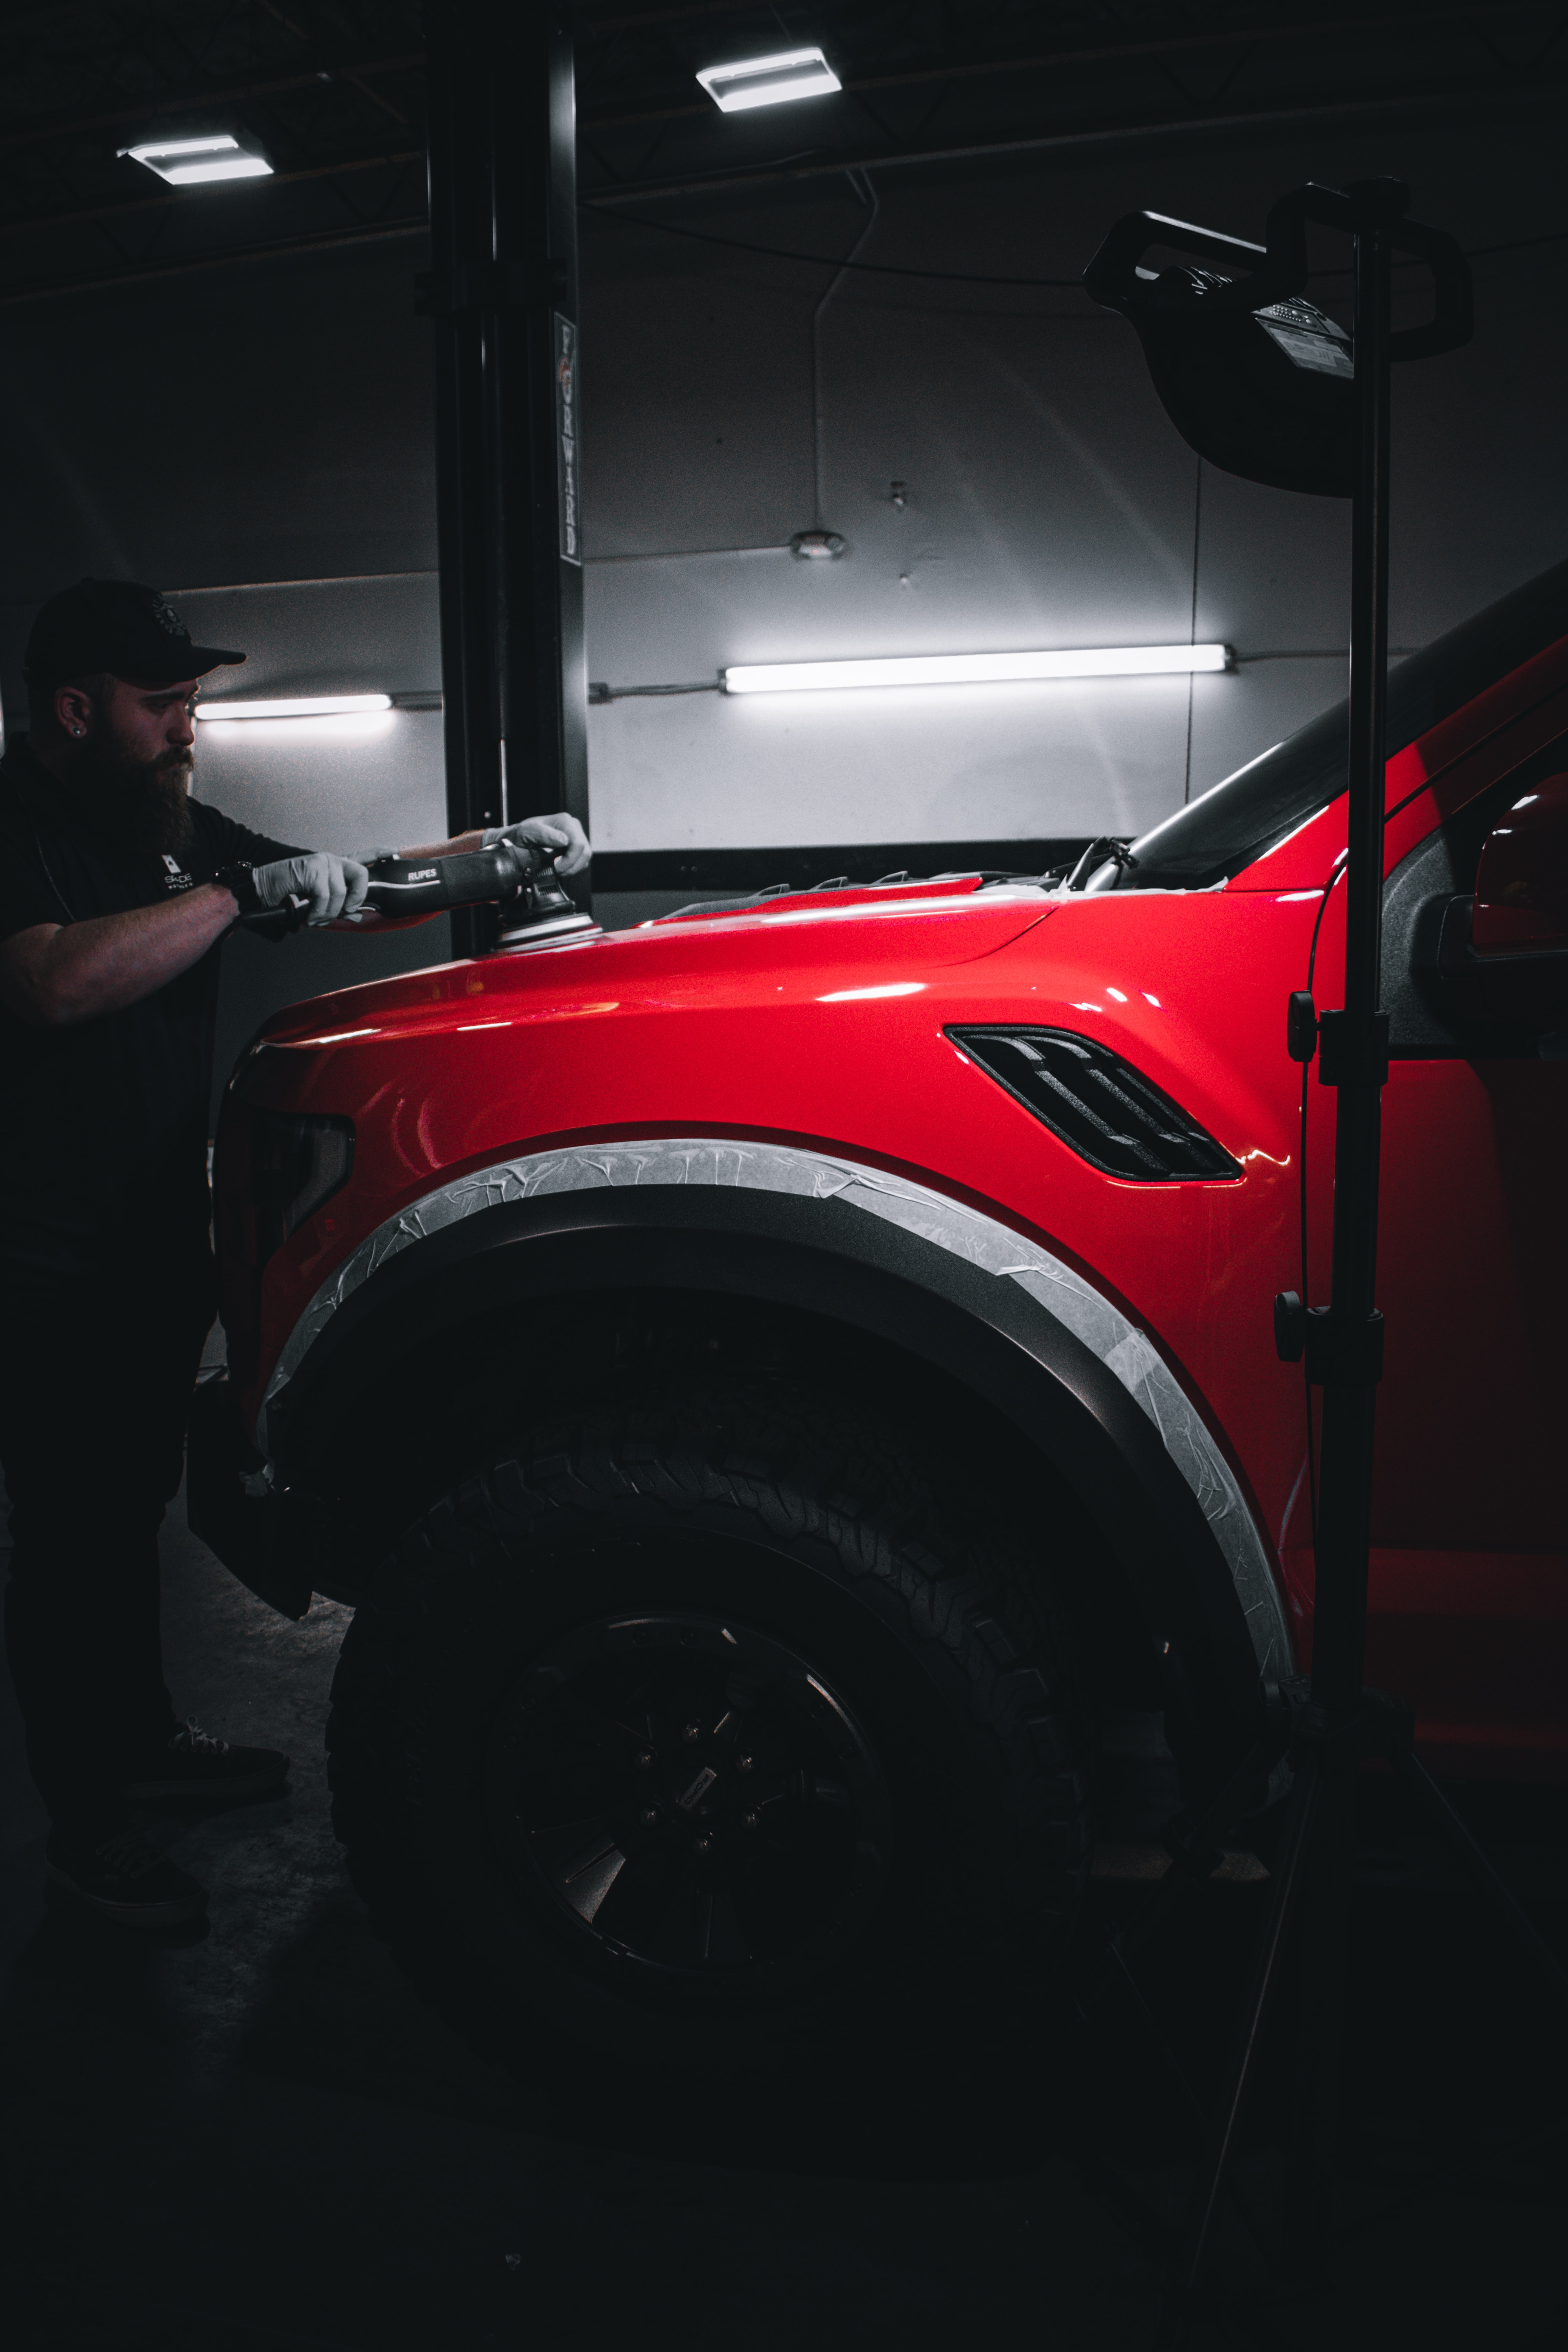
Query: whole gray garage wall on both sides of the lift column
(272, 425)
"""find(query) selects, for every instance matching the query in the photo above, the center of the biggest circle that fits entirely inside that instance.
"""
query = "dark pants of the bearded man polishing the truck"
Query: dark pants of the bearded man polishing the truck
(95, 1389)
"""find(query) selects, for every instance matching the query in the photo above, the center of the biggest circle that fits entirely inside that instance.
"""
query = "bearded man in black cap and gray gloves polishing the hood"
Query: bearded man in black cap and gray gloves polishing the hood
(116, 890)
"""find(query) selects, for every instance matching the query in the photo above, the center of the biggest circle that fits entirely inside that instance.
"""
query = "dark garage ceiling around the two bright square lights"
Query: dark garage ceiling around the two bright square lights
(335, 95)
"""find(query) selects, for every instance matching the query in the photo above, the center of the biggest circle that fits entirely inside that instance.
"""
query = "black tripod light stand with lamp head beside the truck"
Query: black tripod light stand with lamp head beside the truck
(1214, 347)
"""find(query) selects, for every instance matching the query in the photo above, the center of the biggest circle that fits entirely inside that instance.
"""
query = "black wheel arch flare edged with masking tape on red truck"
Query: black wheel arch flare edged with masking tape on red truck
(857, 1252)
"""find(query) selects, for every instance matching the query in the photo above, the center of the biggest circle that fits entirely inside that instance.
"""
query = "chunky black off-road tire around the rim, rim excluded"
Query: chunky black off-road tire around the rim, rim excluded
(808, 1523)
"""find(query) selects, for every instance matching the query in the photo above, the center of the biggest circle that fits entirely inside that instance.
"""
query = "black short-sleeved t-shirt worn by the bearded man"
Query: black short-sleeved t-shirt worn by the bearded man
(105, 1123)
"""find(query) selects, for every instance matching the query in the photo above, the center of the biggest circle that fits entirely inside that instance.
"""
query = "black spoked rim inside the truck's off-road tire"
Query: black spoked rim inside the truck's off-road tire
(692, 1805)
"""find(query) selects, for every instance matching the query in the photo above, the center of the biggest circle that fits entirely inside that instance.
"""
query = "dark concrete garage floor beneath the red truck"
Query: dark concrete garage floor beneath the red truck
(288, 2134)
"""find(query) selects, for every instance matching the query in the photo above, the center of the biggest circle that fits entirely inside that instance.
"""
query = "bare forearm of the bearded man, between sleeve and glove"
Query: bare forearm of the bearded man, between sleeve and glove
(55, 975)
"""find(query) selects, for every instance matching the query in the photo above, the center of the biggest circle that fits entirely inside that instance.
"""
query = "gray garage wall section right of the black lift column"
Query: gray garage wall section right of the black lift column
(1050, 502)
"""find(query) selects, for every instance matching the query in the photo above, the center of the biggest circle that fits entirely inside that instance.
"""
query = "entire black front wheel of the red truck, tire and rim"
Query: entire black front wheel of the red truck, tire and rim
(718, 1716)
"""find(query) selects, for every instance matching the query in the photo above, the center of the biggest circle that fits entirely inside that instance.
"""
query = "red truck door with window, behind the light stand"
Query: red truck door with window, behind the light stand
(1470, 1542)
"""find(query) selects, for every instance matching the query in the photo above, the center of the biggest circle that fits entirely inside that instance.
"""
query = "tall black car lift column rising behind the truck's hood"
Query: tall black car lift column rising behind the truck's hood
(509, 507)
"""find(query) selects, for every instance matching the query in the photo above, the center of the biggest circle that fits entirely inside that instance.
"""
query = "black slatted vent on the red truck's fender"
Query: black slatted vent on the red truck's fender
(1097, 1104)
